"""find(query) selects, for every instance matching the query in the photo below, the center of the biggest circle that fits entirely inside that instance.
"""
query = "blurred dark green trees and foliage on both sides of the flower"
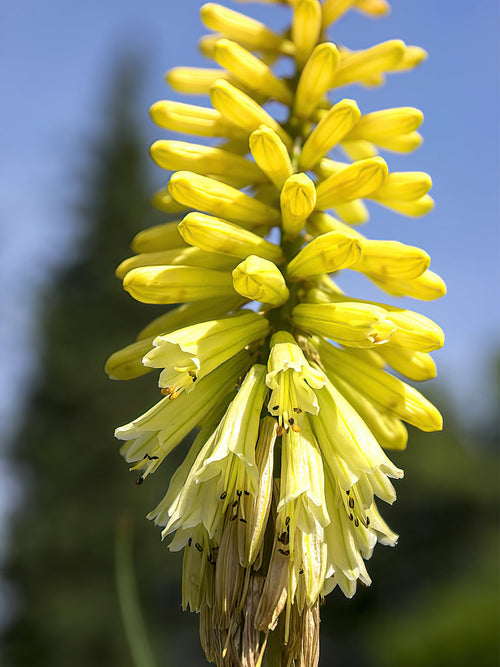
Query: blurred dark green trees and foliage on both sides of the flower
(434, 599)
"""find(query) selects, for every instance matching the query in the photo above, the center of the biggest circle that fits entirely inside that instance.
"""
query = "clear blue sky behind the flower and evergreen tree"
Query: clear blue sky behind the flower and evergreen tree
(57, 58)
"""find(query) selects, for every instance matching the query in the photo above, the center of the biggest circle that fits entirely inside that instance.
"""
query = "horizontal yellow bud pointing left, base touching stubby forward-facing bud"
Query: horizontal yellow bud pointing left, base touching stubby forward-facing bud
(176, 284)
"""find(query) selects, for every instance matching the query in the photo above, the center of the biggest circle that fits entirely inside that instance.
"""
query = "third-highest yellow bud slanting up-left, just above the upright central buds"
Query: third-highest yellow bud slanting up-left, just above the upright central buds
(242, 110)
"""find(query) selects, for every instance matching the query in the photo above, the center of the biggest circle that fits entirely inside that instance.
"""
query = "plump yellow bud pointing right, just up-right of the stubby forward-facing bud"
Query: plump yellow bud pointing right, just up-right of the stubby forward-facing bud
(324, 254)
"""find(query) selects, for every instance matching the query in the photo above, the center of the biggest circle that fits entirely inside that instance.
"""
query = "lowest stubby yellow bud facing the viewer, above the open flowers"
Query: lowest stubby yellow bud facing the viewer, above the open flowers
(259, 279)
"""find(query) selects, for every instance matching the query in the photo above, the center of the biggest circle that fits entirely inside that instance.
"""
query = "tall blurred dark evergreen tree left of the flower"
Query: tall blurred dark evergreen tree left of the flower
(60, 560)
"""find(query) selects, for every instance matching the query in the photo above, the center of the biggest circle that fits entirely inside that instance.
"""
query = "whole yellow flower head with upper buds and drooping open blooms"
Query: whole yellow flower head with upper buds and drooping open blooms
(283, 381)
